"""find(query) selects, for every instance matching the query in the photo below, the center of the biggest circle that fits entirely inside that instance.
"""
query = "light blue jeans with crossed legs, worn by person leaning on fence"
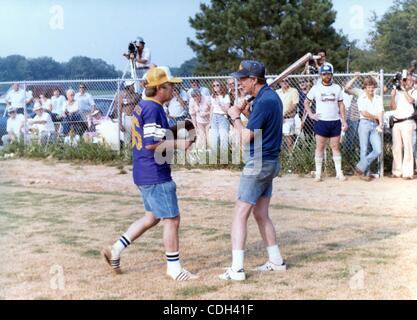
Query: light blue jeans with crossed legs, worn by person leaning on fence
(368, 134)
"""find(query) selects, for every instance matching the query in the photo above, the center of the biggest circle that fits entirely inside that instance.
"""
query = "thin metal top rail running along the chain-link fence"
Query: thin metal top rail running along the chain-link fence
(119, 80)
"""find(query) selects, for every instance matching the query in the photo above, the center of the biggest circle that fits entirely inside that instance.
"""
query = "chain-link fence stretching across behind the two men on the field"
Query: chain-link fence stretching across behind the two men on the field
(77, 113)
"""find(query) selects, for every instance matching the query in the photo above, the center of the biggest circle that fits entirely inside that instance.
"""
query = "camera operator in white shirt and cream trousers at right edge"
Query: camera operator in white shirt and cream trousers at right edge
(402, 101)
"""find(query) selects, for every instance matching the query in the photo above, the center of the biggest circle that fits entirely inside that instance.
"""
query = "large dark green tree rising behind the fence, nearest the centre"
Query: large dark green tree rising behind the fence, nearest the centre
(276, 32)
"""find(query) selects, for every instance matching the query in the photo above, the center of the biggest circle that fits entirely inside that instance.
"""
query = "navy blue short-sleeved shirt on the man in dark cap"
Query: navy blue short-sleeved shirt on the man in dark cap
(267, 116)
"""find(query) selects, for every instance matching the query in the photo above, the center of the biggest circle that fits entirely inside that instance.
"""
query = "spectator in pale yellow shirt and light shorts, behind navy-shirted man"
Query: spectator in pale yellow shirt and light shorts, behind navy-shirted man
(290, 98)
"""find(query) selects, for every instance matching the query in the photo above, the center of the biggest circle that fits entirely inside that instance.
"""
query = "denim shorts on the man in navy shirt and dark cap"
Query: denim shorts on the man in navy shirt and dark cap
(256, 180)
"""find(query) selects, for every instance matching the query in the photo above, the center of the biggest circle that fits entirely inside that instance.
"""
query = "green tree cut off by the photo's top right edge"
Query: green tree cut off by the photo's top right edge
(394, 38)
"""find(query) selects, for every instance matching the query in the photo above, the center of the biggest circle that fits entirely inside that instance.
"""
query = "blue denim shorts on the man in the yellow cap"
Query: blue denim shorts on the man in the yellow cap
(161, 199)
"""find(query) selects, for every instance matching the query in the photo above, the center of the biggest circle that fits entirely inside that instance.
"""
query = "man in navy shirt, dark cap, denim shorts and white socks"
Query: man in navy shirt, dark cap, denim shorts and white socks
(262, 143)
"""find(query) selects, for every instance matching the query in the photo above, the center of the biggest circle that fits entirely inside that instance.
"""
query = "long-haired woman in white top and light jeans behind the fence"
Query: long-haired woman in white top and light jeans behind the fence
(219, 123)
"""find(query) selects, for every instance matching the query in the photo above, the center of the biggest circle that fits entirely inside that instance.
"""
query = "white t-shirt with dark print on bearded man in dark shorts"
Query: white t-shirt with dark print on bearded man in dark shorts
(327, 100)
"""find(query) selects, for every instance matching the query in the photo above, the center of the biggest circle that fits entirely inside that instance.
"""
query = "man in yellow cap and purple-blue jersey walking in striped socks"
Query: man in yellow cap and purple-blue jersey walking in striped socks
(152, 177)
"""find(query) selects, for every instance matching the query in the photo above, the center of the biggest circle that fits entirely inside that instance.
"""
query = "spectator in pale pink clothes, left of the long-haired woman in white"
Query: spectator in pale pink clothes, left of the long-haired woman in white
(200, 110)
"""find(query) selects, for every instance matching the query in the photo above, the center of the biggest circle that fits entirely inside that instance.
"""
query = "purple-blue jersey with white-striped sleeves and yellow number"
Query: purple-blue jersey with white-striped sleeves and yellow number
(149, 126)
